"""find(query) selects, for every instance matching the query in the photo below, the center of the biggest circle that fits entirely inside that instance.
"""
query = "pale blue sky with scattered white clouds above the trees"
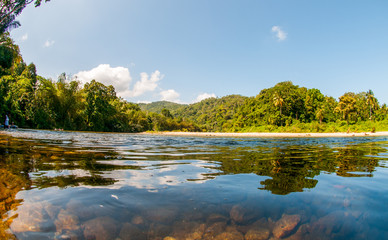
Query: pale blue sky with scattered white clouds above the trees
(185, 50)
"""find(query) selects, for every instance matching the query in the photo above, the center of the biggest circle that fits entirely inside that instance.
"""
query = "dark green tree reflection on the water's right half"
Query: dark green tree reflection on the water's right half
(293, 168)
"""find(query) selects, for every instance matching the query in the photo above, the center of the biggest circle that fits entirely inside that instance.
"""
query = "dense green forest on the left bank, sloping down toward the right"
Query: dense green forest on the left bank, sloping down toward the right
(32, 101)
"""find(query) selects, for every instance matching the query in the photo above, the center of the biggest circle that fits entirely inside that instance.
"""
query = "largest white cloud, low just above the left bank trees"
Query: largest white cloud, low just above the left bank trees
(118, 77)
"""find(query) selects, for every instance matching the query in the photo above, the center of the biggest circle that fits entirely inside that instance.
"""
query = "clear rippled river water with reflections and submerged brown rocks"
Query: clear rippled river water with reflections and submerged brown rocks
(72, 185)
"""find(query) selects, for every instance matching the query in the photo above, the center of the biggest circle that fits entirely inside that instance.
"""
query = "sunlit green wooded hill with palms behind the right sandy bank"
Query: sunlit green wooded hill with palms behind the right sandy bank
(289, 108)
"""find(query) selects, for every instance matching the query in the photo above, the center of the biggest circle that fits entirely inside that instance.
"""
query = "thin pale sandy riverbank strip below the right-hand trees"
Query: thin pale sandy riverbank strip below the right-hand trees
(270, 135)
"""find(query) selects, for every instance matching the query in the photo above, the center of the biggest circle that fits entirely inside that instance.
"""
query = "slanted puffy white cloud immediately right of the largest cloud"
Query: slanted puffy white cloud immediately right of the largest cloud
(146, 83)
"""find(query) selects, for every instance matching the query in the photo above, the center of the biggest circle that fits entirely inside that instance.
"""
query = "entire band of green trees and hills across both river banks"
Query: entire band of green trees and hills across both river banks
(35, 102)
